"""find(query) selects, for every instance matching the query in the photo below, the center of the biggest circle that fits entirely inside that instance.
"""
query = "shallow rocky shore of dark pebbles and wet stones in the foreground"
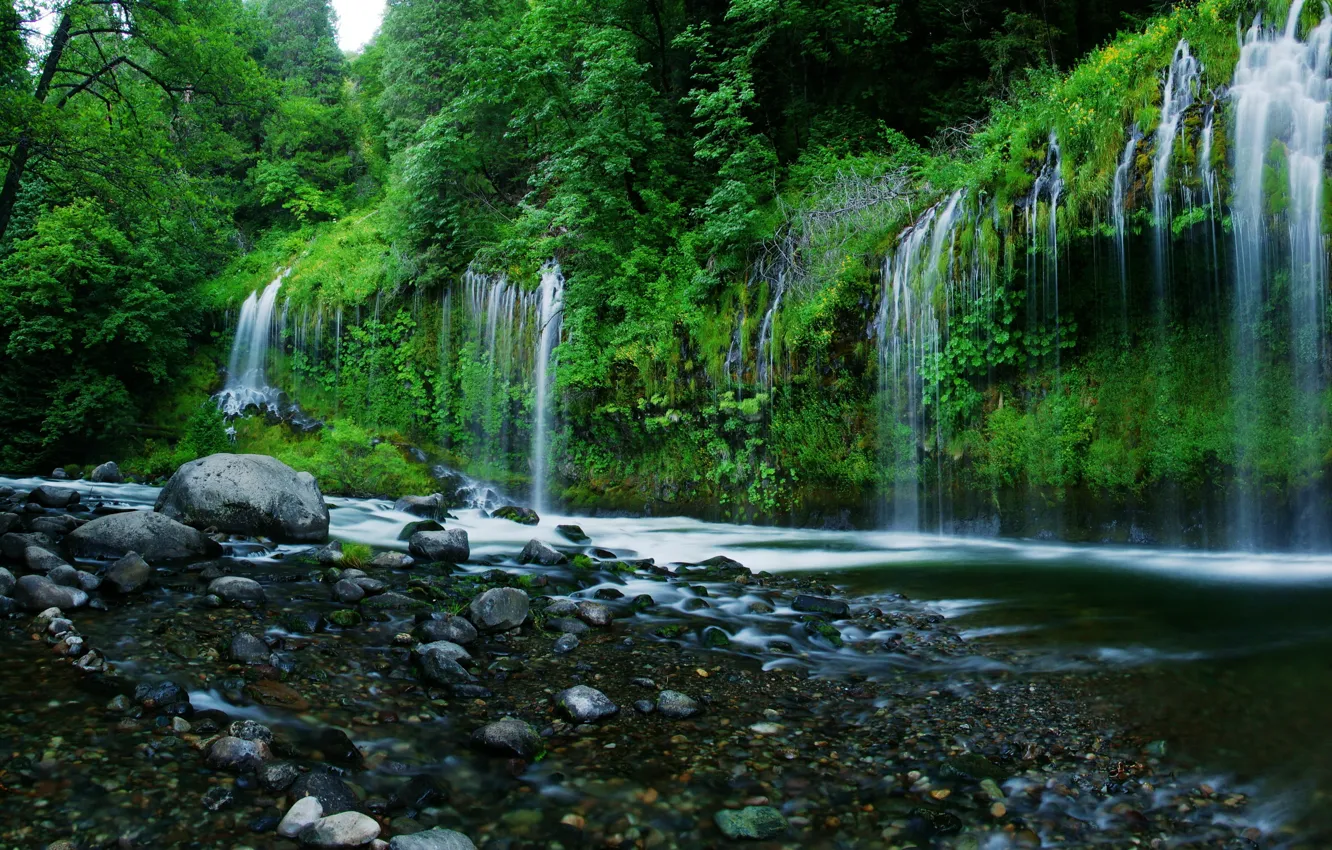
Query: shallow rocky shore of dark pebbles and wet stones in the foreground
(220, 692)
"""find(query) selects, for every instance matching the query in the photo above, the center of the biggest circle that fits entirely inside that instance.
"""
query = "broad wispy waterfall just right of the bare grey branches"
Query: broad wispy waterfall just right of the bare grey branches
(910, 330)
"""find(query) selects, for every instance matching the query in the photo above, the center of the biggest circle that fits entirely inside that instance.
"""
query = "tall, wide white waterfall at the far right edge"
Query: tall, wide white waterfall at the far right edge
(1281, 110)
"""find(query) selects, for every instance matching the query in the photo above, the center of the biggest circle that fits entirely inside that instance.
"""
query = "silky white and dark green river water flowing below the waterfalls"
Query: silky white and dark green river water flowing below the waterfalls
(1226, 657)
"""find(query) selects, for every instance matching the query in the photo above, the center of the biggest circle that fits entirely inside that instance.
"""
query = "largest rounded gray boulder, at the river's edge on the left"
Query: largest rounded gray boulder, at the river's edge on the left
(247, 495)
